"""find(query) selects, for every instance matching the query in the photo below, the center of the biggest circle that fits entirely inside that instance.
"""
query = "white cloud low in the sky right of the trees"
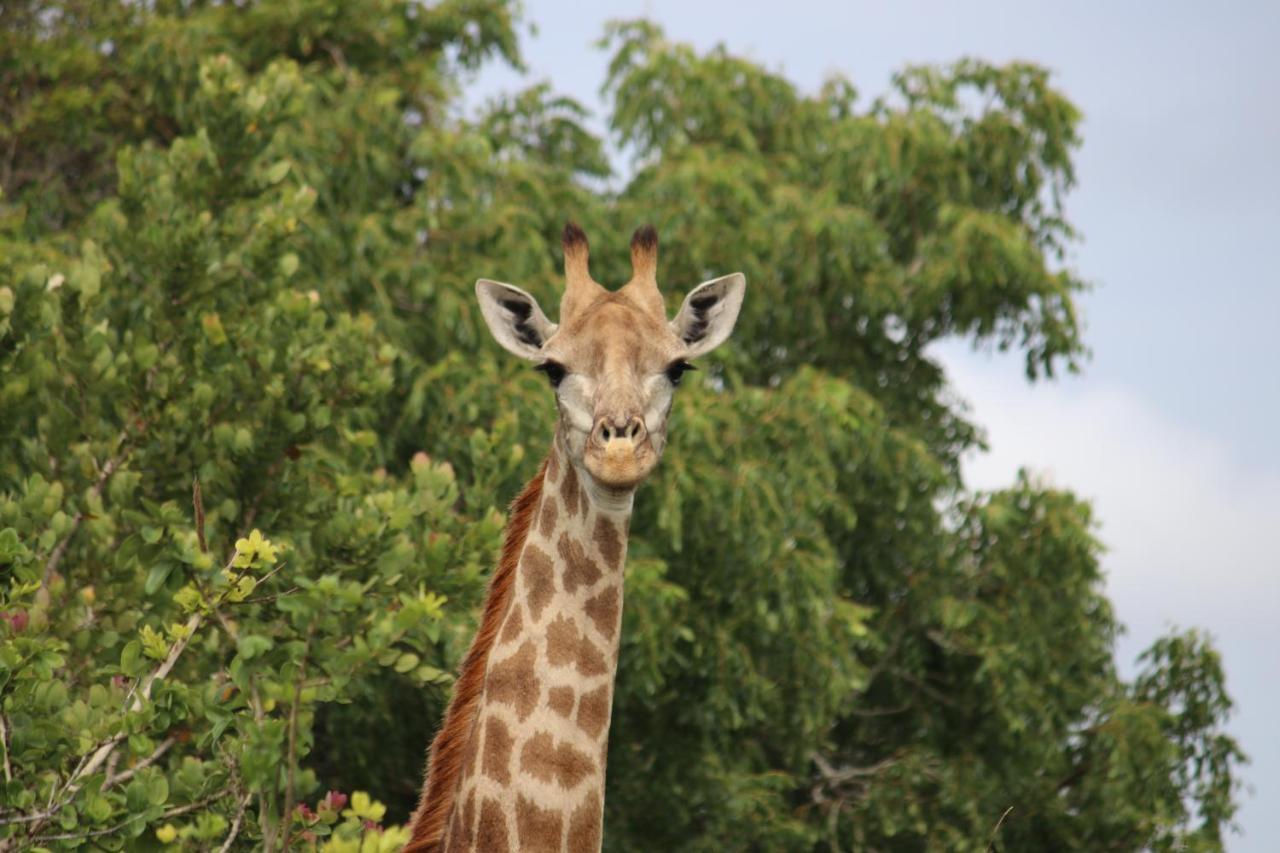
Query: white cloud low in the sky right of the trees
(1190, 527)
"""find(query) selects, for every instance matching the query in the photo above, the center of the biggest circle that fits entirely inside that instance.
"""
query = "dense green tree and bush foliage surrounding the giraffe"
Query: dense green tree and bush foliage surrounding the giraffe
(237, 249)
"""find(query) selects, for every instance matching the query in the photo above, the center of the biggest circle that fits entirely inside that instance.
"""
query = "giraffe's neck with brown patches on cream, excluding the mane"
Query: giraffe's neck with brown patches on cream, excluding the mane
(533, 777)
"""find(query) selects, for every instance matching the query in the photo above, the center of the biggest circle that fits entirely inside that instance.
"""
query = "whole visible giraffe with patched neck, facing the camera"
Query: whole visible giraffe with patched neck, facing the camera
(519, 763)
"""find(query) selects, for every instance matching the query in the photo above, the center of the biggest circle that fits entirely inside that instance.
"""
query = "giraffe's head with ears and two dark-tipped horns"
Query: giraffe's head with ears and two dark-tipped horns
(614, 359)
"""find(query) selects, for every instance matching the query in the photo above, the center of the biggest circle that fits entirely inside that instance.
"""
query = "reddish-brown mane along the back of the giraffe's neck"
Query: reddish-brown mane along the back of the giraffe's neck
(445, 761)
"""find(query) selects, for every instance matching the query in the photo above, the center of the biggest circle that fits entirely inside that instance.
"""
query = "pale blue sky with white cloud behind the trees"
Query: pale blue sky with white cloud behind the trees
(1172, 428)
